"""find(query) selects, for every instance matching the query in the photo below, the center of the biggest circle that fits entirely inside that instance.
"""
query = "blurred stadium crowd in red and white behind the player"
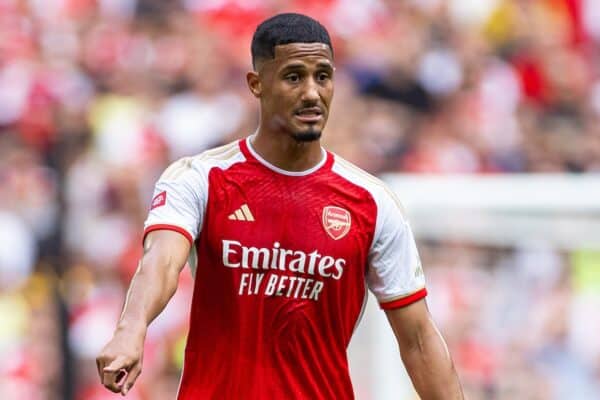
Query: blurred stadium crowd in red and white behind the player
(98, 96)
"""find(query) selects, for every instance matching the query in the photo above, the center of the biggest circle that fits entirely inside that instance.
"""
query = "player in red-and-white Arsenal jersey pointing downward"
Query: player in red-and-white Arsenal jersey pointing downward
(284, 238)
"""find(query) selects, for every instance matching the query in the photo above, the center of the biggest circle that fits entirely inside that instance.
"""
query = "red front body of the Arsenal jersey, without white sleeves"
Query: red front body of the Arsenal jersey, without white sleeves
(277, 297)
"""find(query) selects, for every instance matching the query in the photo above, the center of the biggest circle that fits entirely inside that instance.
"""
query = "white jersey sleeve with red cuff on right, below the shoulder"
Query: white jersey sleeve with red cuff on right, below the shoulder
(395, 274)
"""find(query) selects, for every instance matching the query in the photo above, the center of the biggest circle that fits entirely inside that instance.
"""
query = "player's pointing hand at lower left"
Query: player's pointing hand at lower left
(120, 362)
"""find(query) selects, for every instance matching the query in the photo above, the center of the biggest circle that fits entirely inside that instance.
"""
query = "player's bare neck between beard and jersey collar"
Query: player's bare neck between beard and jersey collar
(283, 151)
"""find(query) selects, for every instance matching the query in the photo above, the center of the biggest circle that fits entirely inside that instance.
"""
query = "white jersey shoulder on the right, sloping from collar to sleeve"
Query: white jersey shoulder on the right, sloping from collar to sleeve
(380, 191)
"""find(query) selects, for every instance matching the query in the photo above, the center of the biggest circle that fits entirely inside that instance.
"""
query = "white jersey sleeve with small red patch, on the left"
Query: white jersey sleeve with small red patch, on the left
(179, 200)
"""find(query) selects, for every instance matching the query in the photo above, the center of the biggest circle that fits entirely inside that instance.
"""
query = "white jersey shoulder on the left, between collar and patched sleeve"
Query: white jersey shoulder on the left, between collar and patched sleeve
(221, 157)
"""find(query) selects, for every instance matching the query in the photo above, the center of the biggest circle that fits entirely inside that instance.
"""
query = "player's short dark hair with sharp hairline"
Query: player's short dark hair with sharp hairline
(284, 29)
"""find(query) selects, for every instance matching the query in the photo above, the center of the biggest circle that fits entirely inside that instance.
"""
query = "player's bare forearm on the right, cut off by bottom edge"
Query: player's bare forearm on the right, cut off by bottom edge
(430, 366)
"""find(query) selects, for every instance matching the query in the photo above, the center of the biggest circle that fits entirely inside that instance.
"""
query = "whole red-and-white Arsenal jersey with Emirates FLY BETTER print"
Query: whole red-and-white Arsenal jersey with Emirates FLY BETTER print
(282, 261)
